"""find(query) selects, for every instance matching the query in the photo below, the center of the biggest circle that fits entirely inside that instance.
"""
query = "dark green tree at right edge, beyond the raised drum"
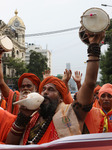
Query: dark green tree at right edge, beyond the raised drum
(106, 58)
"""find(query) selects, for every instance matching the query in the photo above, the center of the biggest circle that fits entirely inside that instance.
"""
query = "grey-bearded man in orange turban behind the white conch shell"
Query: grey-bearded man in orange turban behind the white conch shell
(27, 83)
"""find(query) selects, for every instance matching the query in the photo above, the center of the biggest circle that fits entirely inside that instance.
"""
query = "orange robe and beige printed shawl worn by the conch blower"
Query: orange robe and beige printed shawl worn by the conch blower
(64, 124)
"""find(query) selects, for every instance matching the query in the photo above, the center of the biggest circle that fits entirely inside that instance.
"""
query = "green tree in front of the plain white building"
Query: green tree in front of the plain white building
(38, 64)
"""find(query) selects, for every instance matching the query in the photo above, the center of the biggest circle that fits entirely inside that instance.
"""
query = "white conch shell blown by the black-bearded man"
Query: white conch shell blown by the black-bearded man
(32, 102)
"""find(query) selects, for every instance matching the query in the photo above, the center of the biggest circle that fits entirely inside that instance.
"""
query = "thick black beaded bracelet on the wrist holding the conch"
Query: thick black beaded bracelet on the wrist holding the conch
(22, 120)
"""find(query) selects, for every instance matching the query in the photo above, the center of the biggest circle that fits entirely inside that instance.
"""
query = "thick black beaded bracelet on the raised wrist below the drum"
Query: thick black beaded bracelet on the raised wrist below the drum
(94, 49)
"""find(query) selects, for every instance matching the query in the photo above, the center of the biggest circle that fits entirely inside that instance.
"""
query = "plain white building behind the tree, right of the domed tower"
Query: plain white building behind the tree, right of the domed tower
(44, 52)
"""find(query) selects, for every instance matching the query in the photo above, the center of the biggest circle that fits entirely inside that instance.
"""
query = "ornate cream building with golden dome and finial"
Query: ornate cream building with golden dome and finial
(15, 30)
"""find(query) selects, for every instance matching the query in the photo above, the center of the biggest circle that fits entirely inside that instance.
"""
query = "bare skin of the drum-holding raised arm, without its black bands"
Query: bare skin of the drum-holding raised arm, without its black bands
(85, 93)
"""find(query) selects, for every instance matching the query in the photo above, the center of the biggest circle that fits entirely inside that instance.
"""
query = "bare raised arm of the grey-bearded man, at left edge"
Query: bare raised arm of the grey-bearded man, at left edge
(3, 86)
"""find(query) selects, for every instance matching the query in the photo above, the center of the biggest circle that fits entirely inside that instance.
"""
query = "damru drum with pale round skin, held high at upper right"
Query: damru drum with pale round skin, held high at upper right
(94, 21)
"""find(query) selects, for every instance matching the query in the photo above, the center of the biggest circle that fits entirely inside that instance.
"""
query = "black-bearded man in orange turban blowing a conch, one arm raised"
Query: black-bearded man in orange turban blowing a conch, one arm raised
(55, 119)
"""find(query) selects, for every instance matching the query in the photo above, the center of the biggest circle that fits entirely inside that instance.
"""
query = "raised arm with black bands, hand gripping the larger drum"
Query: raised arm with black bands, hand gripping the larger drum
(85, 93)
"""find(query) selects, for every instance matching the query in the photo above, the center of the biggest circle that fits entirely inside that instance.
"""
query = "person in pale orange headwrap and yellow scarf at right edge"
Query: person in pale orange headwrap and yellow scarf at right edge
(99, 120)
